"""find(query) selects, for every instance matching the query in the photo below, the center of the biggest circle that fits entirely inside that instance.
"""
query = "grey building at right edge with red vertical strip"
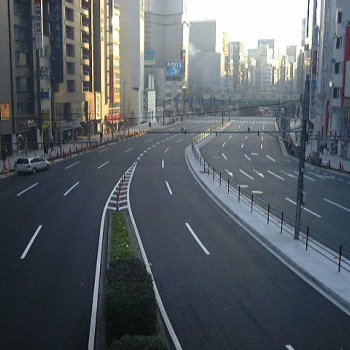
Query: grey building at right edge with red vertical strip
(326, 61)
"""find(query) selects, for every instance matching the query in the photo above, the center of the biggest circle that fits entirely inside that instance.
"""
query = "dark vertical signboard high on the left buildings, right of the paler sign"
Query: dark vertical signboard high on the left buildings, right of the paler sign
(56, 42)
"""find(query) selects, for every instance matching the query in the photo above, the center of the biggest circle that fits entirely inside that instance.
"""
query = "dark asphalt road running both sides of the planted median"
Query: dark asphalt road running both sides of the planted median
(221, 289)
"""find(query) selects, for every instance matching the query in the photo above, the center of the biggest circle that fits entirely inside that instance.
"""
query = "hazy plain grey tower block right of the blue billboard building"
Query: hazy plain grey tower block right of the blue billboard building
(205, 57)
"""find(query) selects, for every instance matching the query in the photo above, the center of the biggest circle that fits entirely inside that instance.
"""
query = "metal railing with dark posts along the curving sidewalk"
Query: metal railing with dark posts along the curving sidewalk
(329, 249)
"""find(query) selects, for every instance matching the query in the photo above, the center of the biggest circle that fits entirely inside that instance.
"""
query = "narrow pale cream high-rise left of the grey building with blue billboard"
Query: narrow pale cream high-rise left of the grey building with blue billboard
(132, 59)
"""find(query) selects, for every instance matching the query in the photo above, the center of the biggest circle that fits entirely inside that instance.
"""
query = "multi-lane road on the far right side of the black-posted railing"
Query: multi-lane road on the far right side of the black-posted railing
(257, 164)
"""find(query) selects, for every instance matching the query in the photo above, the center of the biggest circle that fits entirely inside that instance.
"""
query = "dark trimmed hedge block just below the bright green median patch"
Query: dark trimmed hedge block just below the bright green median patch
(130, 300)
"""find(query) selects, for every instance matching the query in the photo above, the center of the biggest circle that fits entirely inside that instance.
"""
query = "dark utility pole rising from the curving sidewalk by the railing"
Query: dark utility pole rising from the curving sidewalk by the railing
(300, 193)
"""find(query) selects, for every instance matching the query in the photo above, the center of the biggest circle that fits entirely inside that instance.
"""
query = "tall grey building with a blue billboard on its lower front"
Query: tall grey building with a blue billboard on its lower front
(166, 53)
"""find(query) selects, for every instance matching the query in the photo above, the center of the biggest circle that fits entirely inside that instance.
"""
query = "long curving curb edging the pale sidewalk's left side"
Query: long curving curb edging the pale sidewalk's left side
(330, 294)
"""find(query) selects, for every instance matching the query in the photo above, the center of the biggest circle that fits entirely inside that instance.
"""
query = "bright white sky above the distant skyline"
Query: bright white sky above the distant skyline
(250, 20)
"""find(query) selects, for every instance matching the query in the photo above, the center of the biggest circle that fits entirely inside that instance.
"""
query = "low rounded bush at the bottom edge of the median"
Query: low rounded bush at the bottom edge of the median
(140, 342)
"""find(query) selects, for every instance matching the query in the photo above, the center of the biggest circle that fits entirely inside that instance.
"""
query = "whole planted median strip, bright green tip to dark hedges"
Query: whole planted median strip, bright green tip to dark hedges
(131, 309)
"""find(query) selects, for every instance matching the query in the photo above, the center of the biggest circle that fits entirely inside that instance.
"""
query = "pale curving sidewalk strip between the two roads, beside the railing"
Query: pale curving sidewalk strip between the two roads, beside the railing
(318, 271)
